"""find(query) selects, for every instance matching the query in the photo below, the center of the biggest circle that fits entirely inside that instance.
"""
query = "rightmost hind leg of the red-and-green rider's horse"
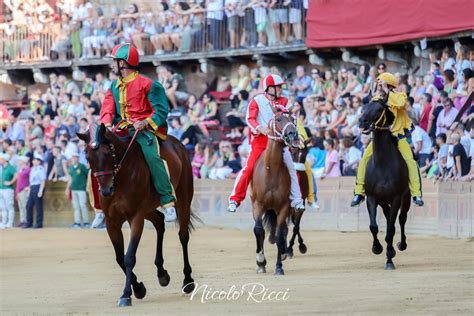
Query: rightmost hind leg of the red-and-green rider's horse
(184, 218)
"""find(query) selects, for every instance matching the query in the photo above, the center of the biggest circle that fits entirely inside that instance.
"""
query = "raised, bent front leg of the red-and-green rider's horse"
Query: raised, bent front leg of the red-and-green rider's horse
(114, 230)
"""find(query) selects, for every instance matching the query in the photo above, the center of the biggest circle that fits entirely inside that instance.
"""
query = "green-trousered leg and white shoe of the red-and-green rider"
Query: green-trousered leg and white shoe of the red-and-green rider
(159, 172)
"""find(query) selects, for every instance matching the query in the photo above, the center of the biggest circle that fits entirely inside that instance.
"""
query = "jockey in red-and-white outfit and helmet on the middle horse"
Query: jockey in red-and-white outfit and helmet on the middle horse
(259, 114)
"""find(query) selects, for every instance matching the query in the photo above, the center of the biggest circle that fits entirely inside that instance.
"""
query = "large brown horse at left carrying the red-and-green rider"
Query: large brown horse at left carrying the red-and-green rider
(127, 194)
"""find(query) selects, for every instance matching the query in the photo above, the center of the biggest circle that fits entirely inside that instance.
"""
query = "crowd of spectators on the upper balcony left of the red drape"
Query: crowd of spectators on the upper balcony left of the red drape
(79, 29)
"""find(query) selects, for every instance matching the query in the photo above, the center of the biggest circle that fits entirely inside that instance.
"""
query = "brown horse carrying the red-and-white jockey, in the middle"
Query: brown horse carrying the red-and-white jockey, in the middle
(271, 189)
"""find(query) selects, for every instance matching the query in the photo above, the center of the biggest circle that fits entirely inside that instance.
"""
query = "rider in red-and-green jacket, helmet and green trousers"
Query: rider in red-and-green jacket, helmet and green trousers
(137, 102)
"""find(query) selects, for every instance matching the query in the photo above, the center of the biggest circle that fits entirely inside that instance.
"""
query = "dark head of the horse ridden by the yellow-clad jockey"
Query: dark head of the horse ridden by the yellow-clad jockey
(375, 116)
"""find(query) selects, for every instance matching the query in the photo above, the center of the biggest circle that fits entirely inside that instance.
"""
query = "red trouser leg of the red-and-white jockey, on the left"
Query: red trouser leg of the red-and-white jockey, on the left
(258, 145)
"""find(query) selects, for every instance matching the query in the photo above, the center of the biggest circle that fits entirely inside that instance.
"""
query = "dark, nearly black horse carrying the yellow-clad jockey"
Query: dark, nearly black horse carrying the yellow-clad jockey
(386, 178)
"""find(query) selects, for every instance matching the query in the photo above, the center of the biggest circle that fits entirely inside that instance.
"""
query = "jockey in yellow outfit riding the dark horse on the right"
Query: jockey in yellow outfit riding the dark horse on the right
(401, 128)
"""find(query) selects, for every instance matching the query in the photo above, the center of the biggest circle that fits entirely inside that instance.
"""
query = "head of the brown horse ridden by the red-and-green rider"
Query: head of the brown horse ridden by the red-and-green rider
(100, 153)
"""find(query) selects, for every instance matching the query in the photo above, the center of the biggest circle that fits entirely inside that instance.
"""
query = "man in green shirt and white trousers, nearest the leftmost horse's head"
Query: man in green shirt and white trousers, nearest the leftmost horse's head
(77, 184)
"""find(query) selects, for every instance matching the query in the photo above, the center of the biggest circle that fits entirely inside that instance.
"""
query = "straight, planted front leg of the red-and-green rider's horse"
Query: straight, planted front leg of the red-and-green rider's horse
(136, 227)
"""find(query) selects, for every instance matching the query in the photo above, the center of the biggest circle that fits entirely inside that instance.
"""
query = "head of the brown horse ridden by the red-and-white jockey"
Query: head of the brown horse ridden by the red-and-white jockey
(283, 128)
